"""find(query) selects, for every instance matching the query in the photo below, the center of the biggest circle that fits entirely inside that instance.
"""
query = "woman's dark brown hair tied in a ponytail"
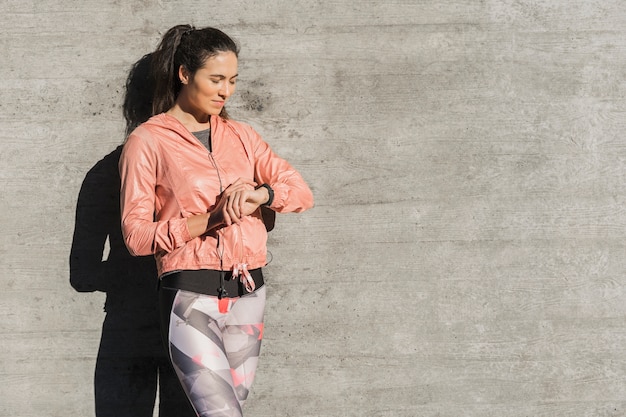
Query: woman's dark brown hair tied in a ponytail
(187, 46)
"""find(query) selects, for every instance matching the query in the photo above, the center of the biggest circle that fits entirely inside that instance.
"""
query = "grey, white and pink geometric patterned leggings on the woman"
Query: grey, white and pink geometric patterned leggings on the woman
(214, 346)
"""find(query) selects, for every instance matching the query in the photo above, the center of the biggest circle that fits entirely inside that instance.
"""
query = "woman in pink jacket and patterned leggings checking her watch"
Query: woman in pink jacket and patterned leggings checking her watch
(193, 183)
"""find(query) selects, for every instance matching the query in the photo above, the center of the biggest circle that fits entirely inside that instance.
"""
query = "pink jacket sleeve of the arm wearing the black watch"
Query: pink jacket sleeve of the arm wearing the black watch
(291, 193)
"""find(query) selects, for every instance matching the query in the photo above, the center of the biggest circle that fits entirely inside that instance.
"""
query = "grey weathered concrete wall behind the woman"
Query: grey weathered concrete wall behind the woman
(466, 253)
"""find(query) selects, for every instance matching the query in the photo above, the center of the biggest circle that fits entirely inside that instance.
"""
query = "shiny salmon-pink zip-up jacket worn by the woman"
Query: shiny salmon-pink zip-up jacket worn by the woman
(168, 175)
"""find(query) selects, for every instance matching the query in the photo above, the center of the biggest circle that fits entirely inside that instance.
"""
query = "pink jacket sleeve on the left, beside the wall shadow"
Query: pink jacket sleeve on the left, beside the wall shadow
(138, 173)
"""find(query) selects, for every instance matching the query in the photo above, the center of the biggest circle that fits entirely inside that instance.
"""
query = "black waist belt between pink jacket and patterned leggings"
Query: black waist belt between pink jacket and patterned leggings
(208, 281)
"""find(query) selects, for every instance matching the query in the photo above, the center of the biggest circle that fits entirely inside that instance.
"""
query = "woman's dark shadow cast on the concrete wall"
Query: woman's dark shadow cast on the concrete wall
(131, 364)
